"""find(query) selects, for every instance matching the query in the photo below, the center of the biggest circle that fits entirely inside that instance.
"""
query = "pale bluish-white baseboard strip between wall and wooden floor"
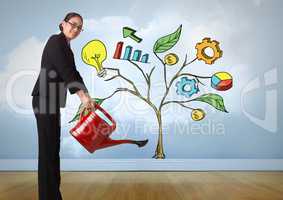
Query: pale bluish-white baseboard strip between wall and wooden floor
(149, 164)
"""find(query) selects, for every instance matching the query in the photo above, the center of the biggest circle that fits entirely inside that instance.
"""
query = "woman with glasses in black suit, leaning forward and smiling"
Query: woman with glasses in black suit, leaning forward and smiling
(57, 74)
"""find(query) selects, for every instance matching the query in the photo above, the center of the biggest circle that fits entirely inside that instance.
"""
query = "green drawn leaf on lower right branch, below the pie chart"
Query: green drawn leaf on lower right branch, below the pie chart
(214, 100)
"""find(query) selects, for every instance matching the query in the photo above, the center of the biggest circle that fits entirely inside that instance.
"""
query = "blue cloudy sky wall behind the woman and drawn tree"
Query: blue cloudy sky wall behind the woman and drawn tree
(249, 33)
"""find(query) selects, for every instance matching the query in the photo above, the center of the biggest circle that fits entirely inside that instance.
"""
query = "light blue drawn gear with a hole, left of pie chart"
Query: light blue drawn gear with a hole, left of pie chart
(183, 83)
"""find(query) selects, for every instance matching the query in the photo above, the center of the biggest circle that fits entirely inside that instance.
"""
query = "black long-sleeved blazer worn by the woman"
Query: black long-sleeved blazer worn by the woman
(58, 72)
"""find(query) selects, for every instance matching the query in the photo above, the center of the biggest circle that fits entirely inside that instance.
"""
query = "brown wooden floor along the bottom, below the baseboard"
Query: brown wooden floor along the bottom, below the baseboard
(150, 185)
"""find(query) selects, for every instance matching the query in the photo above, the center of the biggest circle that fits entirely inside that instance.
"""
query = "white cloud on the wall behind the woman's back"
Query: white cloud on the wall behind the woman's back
(19, 75)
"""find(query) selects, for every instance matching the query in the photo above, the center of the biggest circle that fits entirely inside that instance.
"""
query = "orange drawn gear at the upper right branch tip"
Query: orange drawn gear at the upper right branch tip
(207, 43)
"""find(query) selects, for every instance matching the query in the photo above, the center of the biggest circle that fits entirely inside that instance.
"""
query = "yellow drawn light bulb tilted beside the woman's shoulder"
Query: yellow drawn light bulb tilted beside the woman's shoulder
(94, 53)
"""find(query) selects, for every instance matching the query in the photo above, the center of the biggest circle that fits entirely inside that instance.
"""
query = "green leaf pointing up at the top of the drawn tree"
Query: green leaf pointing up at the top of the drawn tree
(167, 42)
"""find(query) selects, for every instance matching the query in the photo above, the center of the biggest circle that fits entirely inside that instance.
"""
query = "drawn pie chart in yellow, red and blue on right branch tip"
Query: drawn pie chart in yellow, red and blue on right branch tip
(221, 81)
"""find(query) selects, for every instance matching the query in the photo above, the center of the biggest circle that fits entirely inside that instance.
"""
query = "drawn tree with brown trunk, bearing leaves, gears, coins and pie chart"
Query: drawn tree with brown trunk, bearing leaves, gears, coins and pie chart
(187, 84)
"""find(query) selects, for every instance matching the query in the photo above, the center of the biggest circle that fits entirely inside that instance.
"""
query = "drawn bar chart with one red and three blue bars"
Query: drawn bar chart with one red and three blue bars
(137, 54)
